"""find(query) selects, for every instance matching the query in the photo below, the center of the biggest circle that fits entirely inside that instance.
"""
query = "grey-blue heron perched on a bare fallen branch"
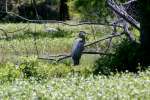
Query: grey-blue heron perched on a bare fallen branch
(78, 47)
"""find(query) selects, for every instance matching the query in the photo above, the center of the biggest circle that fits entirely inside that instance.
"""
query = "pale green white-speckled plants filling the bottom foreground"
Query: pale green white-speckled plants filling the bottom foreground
(125, 86)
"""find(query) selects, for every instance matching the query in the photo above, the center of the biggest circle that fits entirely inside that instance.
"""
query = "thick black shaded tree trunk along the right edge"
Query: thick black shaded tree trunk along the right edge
(144, 11)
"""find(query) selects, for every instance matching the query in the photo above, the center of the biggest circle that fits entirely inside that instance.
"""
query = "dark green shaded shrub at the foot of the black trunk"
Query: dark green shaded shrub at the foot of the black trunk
(126, 57)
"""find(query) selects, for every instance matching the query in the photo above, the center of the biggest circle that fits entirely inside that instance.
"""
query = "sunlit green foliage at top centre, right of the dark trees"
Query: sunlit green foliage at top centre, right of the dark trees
(90, 10)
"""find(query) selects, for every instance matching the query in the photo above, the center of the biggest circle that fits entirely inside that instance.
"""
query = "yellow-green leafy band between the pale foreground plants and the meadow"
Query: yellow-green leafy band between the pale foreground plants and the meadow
(33, 68)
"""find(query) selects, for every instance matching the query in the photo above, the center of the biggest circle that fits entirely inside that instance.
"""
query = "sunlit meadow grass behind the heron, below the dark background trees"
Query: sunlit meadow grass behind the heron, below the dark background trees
(22, 42)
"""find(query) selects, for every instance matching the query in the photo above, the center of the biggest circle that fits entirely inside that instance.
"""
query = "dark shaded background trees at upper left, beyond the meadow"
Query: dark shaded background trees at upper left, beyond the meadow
(35, 9)
